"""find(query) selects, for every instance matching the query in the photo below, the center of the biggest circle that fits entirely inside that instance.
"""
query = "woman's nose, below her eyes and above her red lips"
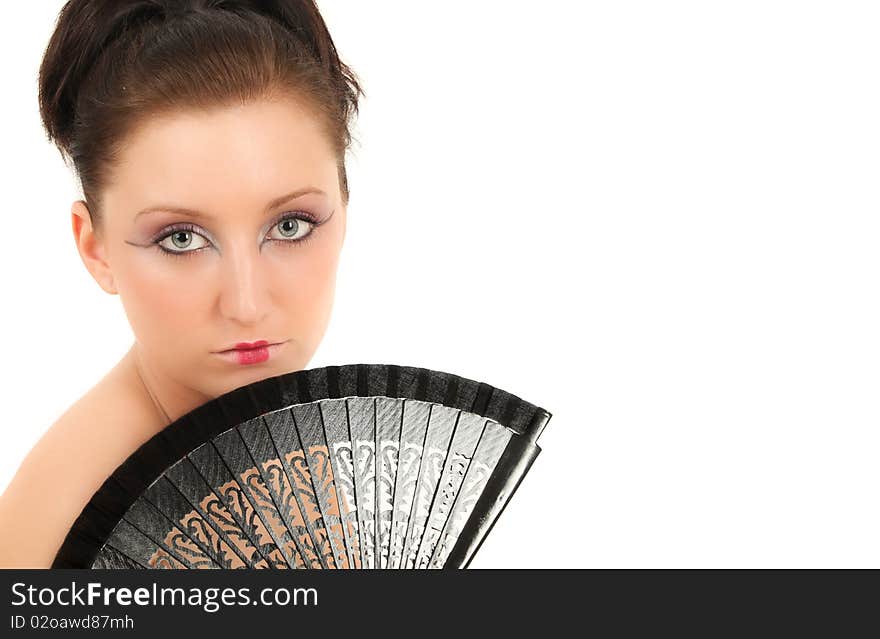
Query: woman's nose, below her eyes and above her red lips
(243, 292)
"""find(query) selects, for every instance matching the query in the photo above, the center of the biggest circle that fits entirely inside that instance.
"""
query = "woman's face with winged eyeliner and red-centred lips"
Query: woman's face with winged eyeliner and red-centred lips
(244, 265)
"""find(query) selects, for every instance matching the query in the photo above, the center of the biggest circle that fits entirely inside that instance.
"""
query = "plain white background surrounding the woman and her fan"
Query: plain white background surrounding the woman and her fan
(657, 220)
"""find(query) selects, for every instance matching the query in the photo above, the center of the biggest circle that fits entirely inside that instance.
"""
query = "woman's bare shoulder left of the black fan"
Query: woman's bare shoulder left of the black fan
(64, 469)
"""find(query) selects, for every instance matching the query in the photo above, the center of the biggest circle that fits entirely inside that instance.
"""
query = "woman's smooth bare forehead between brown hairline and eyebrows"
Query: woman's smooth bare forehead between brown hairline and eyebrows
(252, 153)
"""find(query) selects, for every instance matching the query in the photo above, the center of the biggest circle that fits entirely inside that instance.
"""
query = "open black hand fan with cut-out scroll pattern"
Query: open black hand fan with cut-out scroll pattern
(368, 466)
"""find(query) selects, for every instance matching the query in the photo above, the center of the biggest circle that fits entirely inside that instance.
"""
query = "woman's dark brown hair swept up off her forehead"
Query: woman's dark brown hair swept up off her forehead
(110, 64)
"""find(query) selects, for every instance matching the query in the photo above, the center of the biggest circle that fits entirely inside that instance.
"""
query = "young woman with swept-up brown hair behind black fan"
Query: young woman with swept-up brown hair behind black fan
(209, 137)
